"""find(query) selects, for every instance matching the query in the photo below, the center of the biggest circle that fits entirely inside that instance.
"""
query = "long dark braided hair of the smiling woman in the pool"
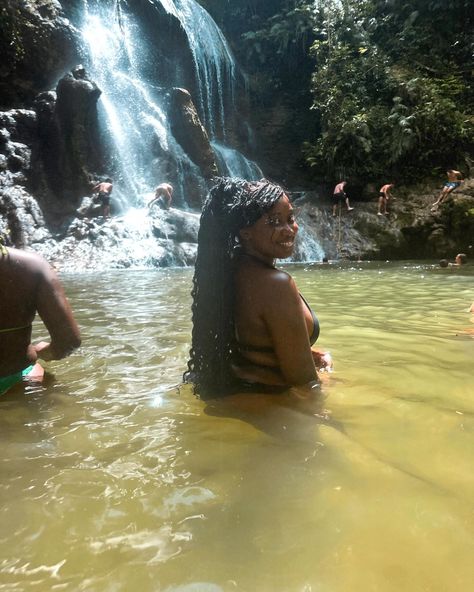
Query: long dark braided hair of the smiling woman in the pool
(232, 204)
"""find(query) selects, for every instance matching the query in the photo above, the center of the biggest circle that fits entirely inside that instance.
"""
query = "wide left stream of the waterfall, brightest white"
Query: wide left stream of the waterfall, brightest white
(132, 110)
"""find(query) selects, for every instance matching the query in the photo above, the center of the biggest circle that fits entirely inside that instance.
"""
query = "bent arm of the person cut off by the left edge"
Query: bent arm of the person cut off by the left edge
(55, 311)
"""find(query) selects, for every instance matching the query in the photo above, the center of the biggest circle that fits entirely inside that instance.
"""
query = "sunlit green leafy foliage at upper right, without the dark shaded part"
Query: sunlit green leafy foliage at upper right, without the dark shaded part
(384, 107)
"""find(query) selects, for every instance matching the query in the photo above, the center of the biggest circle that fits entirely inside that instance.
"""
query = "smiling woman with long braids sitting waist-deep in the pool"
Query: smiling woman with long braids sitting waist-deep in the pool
(252, 329)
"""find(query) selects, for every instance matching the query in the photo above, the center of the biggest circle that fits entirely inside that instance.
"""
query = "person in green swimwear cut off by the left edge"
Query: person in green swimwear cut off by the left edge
(28, 285)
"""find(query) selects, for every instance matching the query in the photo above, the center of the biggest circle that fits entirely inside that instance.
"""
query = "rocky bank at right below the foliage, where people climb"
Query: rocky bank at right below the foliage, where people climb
(410, 230)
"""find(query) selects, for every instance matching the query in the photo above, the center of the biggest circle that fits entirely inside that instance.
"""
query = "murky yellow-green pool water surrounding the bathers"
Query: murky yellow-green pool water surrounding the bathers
(113, 479)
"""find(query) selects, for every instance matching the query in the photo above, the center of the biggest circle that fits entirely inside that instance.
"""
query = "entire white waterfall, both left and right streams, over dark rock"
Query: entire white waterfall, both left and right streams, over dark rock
(133, 108)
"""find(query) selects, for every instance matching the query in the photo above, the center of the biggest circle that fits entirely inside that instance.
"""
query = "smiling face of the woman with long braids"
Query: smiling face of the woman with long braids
(273, 235)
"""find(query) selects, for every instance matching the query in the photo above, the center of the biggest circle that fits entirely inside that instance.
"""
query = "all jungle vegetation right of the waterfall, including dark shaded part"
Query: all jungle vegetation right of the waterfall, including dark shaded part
(386, 85)
